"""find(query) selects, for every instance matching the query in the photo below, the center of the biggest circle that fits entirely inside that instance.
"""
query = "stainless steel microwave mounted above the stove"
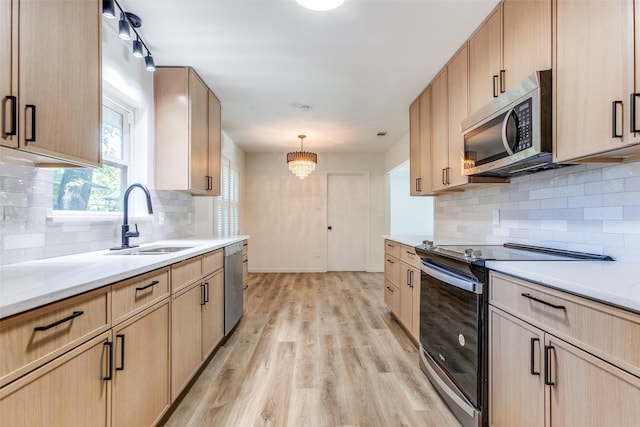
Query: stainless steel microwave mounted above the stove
(512, 134)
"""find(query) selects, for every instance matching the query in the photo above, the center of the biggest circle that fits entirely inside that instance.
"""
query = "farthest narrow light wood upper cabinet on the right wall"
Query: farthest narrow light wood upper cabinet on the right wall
(420, 144)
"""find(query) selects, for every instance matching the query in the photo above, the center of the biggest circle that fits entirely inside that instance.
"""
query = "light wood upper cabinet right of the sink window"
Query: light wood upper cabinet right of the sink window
(185, 145)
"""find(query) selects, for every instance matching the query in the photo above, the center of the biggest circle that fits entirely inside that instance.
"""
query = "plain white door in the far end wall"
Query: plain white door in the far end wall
(347, 221)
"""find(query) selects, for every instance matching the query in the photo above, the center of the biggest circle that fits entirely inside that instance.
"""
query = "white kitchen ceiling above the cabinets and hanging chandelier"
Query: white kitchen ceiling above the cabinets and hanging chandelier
(358, 67)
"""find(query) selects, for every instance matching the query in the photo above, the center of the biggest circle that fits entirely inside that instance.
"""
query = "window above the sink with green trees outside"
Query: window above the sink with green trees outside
(99, 189)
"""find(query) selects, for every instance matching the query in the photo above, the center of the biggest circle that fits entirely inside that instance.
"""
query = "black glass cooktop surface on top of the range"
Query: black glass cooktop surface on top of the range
(506, 252)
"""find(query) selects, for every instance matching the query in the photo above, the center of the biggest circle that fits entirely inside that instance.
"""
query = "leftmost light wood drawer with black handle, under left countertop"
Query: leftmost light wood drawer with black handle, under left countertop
(33, 338)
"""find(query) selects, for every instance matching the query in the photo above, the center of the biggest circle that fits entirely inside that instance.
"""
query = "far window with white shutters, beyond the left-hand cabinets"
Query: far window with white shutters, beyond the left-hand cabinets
(227, 204)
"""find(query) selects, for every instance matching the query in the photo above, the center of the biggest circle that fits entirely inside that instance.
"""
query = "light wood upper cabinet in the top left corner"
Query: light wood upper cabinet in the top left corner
(52, 103)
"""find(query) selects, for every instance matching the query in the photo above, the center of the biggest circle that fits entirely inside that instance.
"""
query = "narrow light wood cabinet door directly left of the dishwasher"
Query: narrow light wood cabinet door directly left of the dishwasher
(212, 312)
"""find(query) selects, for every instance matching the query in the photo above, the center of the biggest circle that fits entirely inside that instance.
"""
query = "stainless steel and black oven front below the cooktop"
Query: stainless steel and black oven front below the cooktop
(452, 313)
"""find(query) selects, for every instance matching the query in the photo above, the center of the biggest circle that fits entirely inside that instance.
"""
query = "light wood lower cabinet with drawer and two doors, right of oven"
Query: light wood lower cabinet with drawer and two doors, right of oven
(537, 379)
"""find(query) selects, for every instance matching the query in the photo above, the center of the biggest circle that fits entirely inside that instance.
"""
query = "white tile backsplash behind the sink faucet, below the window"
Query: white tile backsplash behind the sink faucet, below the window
(28, 230)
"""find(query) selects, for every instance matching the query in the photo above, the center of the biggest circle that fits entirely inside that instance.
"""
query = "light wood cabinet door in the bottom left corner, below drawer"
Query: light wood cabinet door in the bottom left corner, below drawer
(68, 391)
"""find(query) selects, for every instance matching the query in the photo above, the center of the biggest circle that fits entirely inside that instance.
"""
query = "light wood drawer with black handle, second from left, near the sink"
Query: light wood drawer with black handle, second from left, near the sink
(134, 295)
